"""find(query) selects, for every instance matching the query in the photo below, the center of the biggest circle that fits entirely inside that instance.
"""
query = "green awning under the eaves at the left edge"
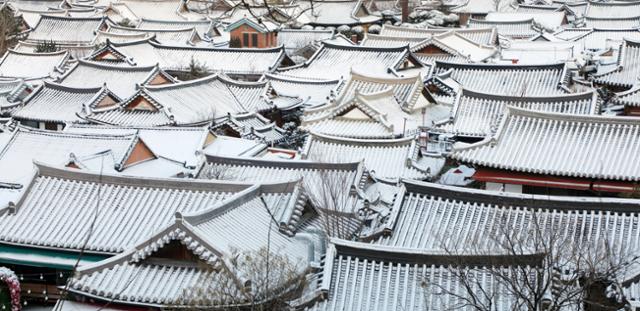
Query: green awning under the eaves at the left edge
(35, 257)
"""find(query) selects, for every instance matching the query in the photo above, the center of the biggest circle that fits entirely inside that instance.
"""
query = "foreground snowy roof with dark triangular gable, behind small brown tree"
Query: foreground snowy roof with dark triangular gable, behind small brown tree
(212, 237)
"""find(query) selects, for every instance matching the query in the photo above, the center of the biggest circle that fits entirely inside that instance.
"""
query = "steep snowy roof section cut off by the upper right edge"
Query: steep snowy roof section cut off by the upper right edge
(627, 72)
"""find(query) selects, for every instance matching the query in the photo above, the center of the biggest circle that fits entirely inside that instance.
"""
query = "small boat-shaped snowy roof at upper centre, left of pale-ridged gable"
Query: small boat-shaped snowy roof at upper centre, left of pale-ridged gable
(312, 92)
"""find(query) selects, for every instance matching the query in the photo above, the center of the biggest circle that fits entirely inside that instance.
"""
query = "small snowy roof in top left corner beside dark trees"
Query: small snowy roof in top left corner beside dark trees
(76, 30)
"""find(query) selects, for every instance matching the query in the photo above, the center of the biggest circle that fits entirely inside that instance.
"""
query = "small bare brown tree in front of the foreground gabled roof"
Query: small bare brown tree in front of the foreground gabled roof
(269, 282)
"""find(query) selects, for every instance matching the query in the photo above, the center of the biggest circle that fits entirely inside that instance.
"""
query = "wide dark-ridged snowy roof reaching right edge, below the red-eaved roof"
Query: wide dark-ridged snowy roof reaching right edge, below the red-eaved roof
(446, 214)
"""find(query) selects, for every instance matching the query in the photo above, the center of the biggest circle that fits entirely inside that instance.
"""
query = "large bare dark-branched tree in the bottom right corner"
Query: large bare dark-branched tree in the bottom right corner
(533, 264)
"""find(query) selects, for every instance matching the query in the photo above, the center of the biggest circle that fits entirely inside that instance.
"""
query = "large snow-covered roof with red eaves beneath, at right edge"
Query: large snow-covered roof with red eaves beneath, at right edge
(560, 145)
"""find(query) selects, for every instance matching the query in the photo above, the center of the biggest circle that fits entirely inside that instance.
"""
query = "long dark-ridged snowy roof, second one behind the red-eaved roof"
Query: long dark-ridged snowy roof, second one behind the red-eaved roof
(523, 80)
